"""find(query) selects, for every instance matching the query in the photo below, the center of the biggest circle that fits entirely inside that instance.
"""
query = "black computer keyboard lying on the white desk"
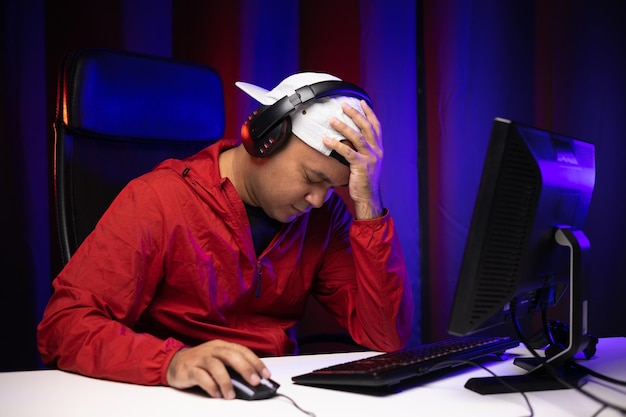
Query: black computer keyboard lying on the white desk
(390, 372)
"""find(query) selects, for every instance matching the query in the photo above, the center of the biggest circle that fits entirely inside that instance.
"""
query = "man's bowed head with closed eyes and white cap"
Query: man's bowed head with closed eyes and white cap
(302, 175)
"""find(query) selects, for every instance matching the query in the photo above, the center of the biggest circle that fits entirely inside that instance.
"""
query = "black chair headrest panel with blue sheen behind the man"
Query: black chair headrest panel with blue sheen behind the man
(117, 93)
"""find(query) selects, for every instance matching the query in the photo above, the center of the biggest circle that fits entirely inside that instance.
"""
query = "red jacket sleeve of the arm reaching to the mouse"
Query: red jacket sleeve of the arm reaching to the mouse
(103, 290)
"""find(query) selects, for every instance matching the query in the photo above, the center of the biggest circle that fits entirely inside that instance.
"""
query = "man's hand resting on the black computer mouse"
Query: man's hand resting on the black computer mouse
(205, 366)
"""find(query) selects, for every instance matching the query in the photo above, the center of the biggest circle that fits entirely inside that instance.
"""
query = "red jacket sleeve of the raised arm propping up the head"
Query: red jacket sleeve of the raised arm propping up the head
(365, 284)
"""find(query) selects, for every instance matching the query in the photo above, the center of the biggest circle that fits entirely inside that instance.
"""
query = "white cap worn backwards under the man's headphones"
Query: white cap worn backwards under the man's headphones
(311, 121)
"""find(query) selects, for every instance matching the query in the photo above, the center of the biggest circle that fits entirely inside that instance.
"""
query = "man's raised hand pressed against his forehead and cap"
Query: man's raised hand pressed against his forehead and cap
(365, 158)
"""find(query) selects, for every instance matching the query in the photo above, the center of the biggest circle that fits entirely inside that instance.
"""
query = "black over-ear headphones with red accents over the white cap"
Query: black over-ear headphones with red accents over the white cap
(268, 127)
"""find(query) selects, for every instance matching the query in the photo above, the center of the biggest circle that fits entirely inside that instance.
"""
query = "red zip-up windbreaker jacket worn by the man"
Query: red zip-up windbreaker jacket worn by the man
(172, 263)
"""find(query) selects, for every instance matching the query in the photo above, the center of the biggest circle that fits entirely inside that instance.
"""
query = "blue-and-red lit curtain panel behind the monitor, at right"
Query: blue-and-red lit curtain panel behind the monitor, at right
(558, 65)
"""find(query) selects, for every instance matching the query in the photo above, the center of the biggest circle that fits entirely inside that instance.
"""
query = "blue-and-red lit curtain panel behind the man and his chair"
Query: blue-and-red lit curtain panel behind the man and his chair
(259, 41)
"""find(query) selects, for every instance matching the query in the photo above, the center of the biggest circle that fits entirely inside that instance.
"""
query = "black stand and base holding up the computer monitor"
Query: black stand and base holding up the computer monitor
(555, 372)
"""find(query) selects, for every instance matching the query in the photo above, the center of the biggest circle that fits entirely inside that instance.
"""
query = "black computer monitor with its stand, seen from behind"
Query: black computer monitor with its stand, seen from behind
(526, 249)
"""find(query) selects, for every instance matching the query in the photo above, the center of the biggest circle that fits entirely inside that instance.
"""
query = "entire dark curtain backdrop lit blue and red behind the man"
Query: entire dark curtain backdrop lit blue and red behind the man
(557, 65)
